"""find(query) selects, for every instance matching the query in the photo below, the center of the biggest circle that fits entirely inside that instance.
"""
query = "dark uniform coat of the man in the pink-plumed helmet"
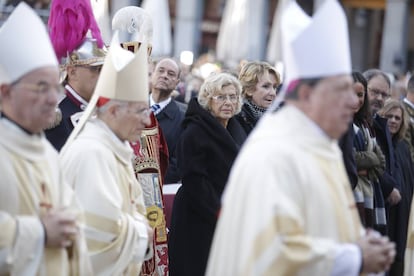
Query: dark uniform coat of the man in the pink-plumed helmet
(59, 134)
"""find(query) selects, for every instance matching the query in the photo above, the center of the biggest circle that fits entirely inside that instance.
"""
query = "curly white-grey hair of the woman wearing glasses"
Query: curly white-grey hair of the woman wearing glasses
(214, 84)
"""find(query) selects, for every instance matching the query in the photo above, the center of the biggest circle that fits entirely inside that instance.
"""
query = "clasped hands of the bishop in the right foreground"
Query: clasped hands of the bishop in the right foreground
(377, 252)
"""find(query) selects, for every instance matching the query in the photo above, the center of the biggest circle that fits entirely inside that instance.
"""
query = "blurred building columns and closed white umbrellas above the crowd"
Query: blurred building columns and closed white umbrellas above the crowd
(226, 32)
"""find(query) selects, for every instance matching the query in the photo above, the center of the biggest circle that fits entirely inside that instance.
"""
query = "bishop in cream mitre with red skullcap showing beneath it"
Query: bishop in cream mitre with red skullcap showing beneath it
(97, 160)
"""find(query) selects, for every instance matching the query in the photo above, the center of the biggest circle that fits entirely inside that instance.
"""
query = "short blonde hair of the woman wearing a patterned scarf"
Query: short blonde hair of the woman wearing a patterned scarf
(250, 73)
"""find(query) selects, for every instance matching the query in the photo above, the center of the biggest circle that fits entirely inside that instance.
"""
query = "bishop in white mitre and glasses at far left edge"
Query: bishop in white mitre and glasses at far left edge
(39, 221)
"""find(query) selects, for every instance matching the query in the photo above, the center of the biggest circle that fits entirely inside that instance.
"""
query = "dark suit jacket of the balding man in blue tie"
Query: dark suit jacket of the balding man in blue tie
(170, 119)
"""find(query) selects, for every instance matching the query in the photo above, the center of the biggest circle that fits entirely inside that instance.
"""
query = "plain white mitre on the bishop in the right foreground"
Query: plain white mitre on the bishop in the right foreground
(316, 46)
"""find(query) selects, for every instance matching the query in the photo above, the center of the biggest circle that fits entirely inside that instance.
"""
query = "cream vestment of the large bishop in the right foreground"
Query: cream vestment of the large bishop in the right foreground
(288, 205)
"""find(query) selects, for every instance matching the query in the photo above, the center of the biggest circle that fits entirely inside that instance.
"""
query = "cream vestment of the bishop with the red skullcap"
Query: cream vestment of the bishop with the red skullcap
(99, 167)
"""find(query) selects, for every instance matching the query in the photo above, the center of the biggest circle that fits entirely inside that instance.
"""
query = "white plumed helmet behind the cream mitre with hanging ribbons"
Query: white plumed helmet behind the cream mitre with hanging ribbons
(134, 25)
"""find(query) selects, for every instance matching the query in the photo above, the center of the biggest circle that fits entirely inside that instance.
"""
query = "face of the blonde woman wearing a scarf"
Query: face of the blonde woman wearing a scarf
(265, 91)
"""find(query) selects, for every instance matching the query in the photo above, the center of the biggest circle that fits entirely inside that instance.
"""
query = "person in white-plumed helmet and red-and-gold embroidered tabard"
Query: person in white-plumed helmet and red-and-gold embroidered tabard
(151, 153)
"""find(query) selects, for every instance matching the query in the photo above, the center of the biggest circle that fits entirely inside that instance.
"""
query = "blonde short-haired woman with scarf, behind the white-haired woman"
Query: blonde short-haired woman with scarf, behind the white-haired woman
(259, 84)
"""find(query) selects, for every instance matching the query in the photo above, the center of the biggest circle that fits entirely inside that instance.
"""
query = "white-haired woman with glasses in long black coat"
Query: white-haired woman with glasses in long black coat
(209, 143)
